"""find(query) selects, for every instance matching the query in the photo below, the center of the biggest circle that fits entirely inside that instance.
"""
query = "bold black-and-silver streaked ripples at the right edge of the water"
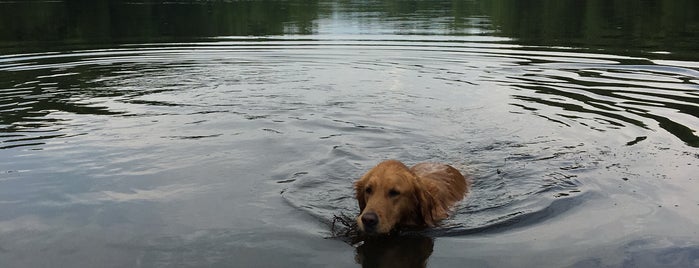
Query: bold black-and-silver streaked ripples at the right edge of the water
(612, 96)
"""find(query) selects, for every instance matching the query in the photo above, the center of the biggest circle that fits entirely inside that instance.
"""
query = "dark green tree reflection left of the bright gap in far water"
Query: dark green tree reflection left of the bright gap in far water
(149, 21)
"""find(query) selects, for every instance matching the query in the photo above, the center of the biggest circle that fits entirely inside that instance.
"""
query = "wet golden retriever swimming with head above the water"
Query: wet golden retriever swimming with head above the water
(391, 194)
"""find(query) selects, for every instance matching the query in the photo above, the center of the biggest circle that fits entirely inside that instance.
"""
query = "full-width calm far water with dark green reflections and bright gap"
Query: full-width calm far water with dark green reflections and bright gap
(667, 27)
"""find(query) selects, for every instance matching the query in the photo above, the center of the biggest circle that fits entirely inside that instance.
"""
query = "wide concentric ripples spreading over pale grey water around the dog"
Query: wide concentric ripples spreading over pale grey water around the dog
(525, 122)
